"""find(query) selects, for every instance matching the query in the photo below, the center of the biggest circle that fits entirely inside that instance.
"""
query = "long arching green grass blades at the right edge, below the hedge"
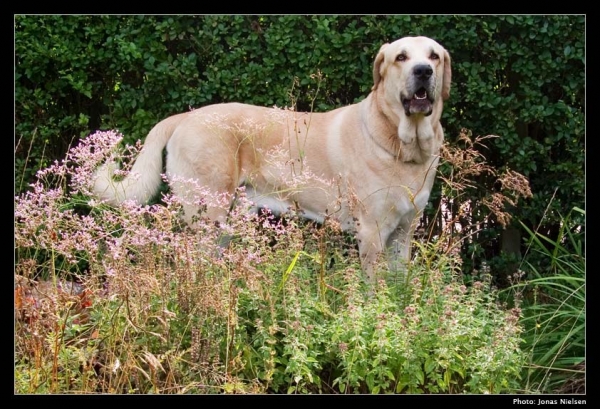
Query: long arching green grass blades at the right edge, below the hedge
(554, 309)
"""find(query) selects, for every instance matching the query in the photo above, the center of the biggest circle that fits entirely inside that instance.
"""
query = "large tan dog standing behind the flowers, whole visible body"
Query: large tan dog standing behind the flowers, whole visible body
(369, 165)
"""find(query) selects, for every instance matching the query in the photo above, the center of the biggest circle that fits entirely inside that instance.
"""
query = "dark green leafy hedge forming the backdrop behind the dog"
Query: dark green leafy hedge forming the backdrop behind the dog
(519, 77)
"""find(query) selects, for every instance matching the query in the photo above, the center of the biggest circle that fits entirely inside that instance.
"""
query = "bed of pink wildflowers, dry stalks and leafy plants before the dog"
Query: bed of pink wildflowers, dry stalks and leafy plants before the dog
(128, 300)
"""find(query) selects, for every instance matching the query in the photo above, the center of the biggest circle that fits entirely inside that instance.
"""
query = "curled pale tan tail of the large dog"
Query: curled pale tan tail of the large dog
(143, 181)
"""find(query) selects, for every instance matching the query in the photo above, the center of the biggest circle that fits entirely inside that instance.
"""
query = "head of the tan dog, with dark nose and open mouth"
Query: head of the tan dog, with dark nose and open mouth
(415, 74)
